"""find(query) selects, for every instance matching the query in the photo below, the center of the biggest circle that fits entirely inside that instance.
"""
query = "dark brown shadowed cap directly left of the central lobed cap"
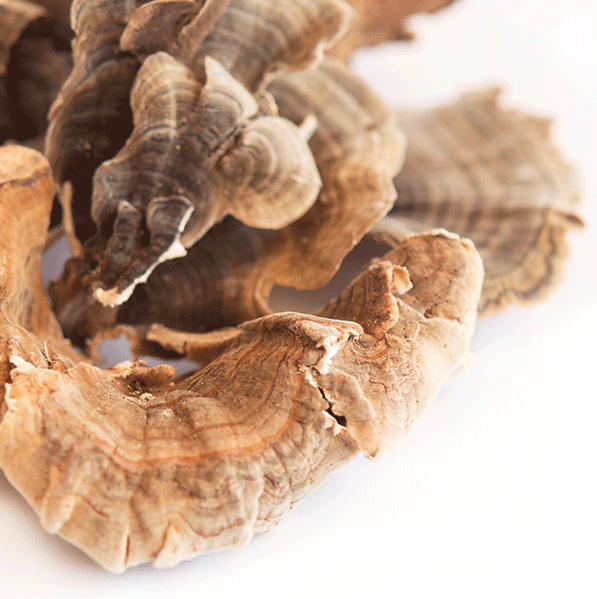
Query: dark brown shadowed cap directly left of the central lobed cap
(91, 117)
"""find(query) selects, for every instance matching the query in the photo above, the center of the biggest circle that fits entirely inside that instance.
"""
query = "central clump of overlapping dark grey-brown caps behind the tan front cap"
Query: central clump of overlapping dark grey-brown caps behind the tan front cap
(293, 155)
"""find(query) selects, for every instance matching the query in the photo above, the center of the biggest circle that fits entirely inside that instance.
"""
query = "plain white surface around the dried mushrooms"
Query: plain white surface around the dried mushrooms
(492, 494)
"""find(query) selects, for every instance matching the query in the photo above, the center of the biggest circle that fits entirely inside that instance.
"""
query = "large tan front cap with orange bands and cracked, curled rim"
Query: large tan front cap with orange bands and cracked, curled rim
(130, 465)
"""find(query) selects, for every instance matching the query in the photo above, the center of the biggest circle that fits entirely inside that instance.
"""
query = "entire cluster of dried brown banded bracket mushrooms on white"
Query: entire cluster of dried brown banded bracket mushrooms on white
(197, 154)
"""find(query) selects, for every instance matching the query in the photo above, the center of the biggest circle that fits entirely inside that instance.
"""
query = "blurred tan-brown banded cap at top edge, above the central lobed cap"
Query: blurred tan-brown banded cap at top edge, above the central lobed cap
(250, 38)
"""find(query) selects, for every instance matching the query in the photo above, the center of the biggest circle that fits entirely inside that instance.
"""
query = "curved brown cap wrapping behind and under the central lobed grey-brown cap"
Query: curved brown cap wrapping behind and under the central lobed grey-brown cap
(227, 276)
